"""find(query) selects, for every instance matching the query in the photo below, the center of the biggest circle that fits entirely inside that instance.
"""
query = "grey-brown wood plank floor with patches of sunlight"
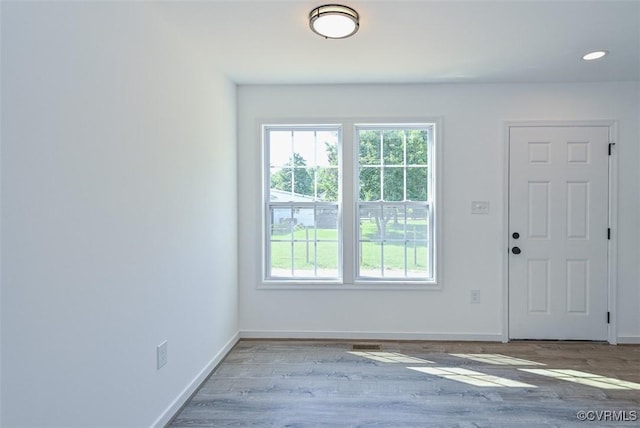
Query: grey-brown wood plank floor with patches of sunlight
(320, 383)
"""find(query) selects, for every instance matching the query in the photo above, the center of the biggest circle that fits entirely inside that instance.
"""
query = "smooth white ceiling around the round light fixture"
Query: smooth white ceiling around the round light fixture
(416, 41)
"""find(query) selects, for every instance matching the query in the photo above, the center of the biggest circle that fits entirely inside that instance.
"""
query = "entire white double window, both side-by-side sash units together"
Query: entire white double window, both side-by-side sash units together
(350, 207)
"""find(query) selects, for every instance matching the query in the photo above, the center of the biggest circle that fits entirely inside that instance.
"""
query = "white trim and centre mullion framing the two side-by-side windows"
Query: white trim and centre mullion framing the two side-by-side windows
(347, 222)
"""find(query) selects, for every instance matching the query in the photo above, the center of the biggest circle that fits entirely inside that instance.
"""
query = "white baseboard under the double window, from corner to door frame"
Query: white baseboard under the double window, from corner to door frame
(361, 335)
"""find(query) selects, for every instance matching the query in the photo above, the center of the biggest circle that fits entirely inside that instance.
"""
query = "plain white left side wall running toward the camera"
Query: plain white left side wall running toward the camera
(118, 215)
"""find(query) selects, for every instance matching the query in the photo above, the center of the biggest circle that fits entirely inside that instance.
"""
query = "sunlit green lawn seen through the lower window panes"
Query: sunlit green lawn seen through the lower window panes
(370, 252)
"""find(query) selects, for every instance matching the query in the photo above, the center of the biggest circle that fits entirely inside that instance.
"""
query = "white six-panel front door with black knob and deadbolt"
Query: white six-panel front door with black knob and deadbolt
(558, 227)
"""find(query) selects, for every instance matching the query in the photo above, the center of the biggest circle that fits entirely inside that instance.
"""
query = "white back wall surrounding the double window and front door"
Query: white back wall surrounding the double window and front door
(473, 128)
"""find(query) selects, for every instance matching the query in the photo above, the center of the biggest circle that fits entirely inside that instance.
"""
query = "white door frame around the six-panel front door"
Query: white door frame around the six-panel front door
(612, 257)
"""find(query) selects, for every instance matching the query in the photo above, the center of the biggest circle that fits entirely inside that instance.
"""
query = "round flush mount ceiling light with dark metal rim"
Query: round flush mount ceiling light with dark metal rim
(334, 21)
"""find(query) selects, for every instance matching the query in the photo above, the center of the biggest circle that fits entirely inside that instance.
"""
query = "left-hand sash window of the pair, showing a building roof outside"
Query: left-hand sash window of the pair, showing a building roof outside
(303, 234)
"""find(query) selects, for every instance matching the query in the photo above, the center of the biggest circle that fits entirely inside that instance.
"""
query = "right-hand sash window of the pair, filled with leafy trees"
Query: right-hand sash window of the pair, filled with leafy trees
(394, 207)
